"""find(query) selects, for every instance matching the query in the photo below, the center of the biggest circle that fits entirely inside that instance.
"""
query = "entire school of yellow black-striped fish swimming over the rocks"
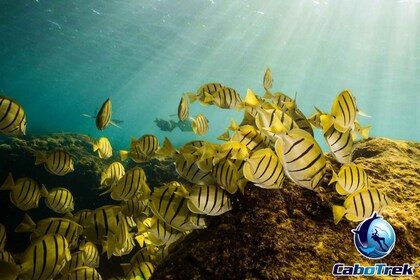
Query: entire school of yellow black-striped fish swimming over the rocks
(273, 142)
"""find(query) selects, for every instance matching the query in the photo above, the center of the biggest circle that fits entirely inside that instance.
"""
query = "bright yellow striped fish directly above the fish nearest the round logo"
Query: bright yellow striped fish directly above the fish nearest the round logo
(350, 178)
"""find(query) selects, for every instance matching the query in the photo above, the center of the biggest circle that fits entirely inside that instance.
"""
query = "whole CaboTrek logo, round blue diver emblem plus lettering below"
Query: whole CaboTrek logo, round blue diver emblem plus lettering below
(374, 238)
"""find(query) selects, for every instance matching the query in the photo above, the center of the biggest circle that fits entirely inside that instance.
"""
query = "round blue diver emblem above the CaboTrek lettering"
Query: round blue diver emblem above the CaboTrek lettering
(374, 238)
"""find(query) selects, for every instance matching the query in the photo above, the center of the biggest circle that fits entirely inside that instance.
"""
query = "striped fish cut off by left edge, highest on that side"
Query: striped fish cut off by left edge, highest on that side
(12, 117)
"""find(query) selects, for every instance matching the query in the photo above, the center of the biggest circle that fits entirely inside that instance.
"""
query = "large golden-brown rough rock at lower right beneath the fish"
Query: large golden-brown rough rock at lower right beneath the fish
(290, 233)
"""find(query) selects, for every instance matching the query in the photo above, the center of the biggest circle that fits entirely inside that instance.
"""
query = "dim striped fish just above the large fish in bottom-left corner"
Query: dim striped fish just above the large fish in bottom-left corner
(68, 228)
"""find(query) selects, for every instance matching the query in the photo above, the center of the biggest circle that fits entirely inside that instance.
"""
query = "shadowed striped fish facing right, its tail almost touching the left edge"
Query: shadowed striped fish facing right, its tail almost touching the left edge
(25, 193)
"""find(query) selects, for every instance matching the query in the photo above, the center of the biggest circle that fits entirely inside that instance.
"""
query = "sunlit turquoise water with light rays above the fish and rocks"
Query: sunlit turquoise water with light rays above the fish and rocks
(60, 59)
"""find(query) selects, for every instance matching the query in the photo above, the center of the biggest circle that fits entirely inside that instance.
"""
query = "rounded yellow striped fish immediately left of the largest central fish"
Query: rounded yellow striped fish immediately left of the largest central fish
(264, 169)
